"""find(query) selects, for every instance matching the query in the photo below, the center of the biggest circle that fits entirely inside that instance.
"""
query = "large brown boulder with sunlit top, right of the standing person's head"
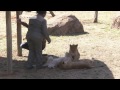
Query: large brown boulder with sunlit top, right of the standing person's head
(64, 25)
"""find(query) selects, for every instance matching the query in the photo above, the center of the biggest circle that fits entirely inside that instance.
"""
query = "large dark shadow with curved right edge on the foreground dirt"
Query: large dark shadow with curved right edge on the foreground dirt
(101, 71)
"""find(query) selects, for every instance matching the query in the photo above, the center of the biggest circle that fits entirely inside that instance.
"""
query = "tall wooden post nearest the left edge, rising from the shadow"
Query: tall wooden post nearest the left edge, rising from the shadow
(9, 40)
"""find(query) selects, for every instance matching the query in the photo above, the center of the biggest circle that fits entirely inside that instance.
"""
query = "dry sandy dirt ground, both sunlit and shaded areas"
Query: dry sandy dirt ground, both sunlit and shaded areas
(101, 43)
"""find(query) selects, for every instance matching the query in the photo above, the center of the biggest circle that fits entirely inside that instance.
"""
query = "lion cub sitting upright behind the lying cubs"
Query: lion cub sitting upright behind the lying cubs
(74, 53)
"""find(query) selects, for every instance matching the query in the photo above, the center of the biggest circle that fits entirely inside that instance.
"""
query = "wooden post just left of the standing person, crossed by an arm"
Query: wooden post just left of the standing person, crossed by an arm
(19, 36)
